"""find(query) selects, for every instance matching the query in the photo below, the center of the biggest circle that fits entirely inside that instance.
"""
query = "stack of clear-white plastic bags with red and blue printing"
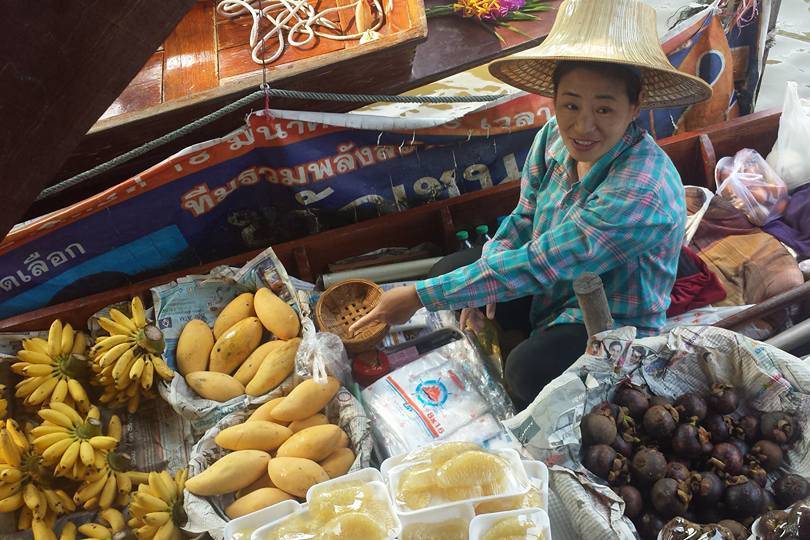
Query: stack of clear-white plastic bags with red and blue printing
(446, 395)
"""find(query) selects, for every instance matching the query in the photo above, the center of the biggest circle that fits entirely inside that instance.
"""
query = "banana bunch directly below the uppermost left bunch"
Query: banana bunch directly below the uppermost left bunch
(69, 442)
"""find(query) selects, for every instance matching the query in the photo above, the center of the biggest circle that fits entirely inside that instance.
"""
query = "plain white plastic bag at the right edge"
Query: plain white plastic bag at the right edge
(789, 155)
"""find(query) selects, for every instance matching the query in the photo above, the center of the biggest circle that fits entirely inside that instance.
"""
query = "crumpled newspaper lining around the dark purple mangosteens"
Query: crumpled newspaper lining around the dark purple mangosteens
(682, 360)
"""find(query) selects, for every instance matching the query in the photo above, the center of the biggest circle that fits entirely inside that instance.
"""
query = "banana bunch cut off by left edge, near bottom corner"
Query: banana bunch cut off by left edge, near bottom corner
(25, 484)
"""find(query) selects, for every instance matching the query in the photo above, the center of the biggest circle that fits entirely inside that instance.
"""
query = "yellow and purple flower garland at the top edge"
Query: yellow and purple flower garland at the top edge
(493, 12)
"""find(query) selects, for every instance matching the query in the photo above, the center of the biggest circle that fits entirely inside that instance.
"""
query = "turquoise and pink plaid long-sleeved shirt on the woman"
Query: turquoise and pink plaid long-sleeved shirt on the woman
(623, 221)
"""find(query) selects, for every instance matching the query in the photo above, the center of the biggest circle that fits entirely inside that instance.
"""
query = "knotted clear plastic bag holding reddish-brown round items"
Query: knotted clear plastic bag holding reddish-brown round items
(752, 186)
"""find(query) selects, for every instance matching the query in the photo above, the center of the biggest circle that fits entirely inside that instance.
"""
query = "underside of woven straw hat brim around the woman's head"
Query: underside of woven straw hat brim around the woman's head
(661, 87)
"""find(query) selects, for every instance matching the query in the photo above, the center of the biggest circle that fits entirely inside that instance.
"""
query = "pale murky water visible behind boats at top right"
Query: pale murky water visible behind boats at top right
(788, 60)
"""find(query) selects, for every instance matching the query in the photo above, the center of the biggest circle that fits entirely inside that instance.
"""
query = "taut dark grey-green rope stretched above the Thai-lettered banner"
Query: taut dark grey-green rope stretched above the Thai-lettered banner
(238, 104)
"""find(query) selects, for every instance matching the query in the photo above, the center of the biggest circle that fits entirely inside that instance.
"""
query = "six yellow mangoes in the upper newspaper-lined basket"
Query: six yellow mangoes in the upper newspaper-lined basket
(230, 360)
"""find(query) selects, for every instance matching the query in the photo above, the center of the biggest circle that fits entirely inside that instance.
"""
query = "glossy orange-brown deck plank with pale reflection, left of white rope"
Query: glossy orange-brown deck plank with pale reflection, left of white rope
(191, 59)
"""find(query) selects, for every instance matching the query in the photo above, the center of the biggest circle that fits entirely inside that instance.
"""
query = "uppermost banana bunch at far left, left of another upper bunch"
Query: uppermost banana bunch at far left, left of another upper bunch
(52, 369)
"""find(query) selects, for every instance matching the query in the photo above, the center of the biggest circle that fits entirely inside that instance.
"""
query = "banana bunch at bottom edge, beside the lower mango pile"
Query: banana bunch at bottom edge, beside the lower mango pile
(156, 509)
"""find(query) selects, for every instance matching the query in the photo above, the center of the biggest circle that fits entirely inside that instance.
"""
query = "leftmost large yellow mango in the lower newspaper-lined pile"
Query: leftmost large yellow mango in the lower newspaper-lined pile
(230, 473)
